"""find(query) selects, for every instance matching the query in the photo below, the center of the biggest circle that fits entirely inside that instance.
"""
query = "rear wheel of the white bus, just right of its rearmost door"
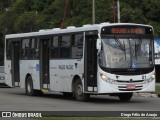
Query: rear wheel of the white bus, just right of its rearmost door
(29, 88)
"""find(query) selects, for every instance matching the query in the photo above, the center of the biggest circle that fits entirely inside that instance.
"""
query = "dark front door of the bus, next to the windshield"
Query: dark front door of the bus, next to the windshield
(90, 63)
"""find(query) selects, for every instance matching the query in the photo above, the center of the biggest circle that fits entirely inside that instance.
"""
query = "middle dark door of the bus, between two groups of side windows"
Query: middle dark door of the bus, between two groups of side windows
(44, 63)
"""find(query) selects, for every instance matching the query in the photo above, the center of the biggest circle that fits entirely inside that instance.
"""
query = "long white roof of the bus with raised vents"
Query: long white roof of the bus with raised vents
(69, 29)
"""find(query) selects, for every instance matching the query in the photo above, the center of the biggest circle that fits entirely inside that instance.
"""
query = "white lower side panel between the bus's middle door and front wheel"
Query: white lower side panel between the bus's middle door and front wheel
(62, 73)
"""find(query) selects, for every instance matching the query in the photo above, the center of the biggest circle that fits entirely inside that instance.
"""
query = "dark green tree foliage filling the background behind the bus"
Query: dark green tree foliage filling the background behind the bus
(17, 16)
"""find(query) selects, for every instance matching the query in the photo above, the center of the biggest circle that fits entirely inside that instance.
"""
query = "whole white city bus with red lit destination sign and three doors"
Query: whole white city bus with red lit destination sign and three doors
(115, 59)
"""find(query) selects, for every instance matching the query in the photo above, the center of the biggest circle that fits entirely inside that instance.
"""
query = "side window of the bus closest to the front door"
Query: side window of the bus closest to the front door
(77, 46)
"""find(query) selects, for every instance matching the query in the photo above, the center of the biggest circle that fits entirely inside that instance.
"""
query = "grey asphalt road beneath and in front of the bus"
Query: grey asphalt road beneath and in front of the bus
(14, 99)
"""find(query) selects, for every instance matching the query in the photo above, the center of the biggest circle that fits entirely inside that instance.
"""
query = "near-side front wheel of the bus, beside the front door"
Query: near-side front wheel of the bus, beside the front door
(78, 91)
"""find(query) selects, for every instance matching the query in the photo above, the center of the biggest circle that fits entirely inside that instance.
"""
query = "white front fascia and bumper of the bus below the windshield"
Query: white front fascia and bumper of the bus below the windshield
(114, 87)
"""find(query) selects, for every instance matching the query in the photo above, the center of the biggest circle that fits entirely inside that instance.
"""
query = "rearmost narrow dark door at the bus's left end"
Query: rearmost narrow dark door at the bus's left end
(15, 63)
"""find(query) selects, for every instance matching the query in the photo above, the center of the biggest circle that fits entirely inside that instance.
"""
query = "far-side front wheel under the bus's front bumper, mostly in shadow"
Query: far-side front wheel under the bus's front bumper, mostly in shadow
(124, 97)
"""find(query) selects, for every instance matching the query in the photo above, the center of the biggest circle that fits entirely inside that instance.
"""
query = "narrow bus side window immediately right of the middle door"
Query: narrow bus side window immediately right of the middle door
(55, 47)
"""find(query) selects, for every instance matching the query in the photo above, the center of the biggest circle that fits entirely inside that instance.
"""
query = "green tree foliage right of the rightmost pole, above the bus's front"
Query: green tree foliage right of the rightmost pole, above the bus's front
(142, 11)
